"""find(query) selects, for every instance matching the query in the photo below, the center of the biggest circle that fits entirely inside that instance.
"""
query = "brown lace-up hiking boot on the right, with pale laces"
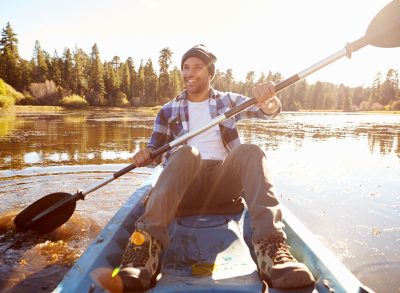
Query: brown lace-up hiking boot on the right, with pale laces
(278, 267)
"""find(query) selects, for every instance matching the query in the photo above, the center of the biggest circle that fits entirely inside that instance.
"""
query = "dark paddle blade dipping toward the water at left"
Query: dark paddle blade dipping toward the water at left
(50, 221)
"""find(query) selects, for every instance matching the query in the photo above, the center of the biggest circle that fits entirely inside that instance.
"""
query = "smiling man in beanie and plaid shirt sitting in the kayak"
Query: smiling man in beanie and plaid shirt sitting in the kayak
(211, 173)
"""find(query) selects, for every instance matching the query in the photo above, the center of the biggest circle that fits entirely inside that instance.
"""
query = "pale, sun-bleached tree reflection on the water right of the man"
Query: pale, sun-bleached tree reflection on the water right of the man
(381, 131)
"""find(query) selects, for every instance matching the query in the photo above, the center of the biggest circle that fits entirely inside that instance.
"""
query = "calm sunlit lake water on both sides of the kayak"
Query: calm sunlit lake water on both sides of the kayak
(338, 172)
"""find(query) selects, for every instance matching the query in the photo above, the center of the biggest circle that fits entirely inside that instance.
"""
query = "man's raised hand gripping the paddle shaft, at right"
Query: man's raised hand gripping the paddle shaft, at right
(266, 99)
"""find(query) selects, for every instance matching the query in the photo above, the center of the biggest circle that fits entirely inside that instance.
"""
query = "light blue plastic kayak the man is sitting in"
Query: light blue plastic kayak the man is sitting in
(207, 253)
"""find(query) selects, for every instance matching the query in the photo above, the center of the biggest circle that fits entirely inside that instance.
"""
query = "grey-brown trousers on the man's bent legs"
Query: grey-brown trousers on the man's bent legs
(190, 185)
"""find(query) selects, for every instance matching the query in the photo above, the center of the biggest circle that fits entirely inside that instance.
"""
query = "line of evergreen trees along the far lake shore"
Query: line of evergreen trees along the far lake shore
(46, 79)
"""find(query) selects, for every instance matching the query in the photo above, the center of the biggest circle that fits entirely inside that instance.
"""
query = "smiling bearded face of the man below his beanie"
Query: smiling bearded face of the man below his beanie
(195, 75)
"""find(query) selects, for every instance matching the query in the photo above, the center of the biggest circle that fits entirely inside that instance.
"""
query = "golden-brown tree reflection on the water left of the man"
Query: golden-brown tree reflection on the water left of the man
(71, 138)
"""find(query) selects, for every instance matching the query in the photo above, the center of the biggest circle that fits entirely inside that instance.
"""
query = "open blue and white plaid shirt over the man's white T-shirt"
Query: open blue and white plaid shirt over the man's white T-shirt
(172, 120)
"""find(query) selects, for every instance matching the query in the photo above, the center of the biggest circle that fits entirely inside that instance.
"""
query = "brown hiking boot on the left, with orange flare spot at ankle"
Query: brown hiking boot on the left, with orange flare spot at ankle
(140, 263)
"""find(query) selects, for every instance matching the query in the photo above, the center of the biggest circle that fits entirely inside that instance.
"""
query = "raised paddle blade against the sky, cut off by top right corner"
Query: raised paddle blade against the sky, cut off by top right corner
(384, 29)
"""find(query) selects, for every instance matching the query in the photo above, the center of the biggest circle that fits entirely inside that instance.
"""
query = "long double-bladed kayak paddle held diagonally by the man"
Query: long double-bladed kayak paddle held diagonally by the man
(55, 209)
